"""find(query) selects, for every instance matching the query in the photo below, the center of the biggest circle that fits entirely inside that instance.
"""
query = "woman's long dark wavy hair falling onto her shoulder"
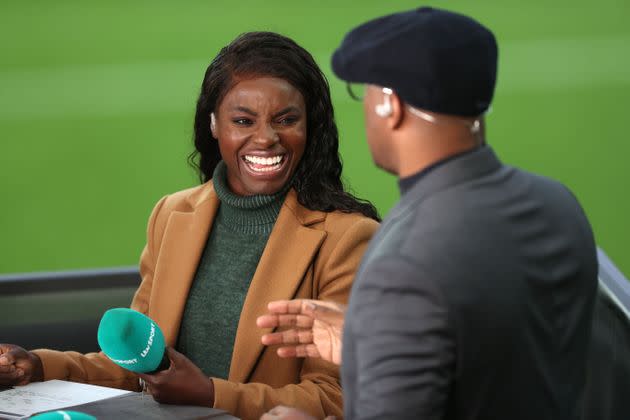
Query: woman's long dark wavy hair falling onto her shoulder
(317, 179)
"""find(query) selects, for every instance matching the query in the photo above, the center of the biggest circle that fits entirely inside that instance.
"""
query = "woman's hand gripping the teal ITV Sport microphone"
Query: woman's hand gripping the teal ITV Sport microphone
(181, 383)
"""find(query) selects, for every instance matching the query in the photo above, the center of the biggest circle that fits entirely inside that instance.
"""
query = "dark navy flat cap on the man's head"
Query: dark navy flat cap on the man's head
(433, 59)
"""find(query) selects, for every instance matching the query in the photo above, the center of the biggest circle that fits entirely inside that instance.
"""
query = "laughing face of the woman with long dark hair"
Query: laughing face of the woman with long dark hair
(261, 129)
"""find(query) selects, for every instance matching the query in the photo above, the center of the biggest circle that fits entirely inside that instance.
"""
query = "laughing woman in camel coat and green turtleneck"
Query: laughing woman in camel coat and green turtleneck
(271, 221)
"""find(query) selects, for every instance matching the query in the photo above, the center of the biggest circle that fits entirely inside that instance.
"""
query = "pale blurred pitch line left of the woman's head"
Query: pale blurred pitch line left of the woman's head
(113, 89)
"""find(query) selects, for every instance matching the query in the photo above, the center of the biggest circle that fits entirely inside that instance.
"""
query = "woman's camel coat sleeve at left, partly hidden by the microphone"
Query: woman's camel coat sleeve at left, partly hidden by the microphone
(96, 368)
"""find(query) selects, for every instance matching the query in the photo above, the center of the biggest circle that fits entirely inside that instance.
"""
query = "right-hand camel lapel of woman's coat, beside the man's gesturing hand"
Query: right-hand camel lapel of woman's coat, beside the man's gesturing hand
(288, 254)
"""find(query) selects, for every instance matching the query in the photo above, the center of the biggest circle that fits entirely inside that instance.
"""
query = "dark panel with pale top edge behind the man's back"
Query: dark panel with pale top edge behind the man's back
(607, 393)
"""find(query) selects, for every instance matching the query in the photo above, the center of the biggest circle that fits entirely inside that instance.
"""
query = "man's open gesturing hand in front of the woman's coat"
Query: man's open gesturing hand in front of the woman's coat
(317, 328)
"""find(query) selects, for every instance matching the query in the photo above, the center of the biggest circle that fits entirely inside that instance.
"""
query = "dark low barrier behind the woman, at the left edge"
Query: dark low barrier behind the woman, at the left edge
(61, 310)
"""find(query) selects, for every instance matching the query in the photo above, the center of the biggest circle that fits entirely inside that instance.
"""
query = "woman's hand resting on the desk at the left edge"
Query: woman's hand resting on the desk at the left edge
(18, 366)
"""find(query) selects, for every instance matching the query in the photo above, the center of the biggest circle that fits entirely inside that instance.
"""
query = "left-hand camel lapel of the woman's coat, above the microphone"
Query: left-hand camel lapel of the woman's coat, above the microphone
(183, 242)
